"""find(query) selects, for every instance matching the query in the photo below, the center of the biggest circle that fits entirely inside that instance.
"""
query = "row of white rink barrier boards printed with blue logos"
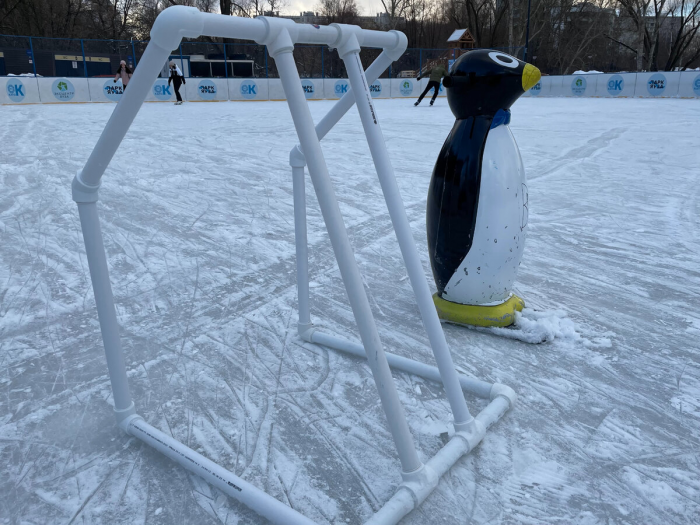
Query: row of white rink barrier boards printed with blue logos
(57, 90)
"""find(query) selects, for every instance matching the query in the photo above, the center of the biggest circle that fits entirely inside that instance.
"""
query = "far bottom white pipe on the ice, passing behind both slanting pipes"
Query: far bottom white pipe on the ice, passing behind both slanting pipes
(475, 386)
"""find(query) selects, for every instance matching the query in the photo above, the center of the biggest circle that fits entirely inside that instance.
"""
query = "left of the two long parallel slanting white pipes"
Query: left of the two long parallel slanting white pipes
(318, 170)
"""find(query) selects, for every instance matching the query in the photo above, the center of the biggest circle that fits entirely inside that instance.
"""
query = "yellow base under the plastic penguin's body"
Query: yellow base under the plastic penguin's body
(499, 315)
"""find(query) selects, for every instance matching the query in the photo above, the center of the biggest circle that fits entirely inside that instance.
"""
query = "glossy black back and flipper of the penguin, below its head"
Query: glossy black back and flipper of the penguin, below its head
(453, 197)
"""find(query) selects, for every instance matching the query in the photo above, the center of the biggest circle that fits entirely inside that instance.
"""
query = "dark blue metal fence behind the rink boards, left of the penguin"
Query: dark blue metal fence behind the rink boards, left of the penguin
(65, 57)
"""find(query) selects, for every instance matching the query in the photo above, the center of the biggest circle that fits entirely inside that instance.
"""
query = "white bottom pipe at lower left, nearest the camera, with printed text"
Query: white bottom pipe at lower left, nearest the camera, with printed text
(239, 489)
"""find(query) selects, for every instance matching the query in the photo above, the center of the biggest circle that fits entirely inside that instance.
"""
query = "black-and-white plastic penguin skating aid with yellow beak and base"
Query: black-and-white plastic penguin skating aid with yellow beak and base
(477, 207)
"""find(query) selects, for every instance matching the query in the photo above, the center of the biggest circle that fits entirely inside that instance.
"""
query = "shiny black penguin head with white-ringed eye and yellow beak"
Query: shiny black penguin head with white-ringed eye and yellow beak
(483, 81)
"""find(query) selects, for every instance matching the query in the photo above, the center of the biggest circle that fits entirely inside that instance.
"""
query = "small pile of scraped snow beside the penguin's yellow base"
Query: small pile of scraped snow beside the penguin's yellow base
(534, 326)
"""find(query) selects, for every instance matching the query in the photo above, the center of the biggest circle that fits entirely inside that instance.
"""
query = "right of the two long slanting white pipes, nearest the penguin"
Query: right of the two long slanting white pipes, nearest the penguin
(404, 235)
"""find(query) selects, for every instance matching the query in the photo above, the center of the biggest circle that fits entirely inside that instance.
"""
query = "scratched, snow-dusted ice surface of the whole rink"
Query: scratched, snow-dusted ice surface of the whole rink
(197, 217)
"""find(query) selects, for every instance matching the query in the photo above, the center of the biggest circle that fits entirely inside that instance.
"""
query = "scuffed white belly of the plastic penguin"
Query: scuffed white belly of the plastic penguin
(487, 273)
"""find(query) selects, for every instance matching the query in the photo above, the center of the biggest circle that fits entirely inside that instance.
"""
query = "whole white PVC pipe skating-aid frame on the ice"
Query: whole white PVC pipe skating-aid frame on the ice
(280, 35)
